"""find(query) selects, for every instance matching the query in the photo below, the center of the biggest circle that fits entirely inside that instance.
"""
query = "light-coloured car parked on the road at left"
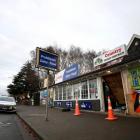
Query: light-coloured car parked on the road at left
(7, 104)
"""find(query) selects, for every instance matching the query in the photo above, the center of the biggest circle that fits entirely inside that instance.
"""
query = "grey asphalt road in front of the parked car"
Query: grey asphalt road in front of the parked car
(11, 128)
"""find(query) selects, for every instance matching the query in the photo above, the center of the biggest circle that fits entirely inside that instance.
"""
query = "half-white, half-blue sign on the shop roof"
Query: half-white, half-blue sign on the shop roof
(67, 74)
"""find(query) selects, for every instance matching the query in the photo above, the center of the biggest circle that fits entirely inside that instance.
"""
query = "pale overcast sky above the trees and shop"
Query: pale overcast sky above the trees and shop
(89, 24)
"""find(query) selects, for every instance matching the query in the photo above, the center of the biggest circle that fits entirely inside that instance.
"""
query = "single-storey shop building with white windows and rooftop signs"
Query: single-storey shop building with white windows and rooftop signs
(116, 74)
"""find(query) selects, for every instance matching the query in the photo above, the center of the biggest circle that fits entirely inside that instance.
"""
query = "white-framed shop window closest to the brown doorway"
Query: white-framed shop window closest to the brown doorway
(93, 89)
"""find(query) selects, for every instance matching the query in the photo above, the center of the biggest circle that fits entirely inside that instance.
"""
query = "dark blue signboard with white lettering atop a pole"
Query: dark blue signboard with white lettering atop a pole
(46, 59)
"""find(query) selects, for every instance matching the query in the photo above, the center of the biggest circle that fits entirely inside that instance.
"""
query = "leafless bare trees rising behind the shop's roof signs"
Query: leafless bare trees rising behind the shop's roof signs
(73, 56)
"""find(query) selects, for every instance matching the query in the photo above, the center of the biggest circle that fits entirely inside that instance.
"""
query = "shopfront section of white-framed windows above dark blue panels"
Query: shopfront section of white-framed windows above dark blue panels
(87, 91)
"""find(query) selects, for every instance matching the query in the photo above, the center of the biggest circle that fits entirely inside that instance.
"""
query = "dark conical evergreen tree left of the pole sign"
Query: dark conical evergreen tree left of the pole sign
(25, 82)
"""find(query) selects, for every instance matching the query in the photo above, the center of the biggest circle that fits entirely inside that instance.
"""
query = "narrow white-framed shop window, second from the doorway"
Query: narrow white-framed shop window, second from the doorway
(84, 90)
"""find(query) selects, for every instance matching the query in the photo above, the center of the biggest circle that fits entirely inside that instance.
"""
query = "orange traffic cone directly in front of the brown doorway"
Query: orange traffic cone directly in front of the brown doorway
(110, 111)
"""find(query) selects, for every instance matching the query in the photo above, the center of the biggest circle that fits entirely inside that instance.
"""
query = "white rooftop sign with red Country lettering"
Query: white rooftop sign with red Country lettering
(110, 55)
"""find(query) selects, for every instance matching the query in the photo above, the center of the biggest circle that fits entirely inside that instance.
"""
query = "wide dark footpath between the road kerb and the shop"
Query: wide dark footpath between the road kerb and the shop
(87, 126)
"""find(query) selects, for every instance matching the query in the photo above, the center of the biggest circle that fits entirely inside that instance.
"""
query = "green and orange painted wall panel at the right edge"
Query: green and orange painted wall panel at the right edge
(133, 90)
